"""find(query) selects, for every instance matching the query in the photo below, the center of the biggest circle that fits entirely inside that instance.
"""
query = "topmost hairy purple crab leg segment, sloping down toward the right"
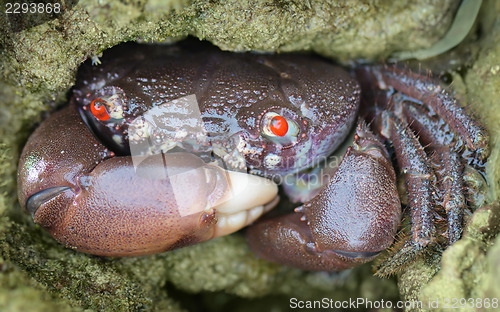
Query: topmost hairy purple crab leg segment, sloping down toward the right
(440, 100)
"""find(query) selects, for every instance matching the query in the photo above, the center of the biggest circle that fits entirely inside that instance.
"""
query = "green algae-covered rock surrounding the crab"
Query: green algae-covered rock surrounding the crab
(39, 57)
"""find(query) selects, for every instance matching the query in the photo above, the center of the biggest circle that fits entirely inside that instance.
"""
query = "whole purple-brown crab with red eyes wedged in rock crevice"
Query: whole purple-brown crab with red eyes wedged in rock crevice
(153, 152)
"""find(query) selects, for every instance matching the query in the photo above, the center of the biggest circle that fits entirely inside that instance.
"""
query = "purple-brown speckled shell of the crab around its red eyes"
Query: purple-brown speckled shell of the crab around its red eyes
(234, 92)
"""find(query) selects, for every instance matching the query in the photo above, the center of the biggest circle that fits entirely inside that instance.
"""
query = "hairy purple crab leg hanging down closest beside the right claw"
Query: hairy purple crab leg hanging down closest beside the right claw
(450, 168)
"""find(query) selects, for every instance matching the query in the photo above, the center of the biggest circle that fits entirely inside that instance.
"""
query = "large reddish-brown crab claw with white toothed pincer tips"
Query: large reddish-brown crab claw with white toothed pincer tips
(103, 205)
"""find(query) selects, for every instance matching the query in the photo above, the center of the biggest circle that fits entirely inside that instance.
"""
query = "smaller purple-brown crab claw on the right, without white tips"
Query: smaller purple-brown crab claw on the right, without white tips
(352, 219)
